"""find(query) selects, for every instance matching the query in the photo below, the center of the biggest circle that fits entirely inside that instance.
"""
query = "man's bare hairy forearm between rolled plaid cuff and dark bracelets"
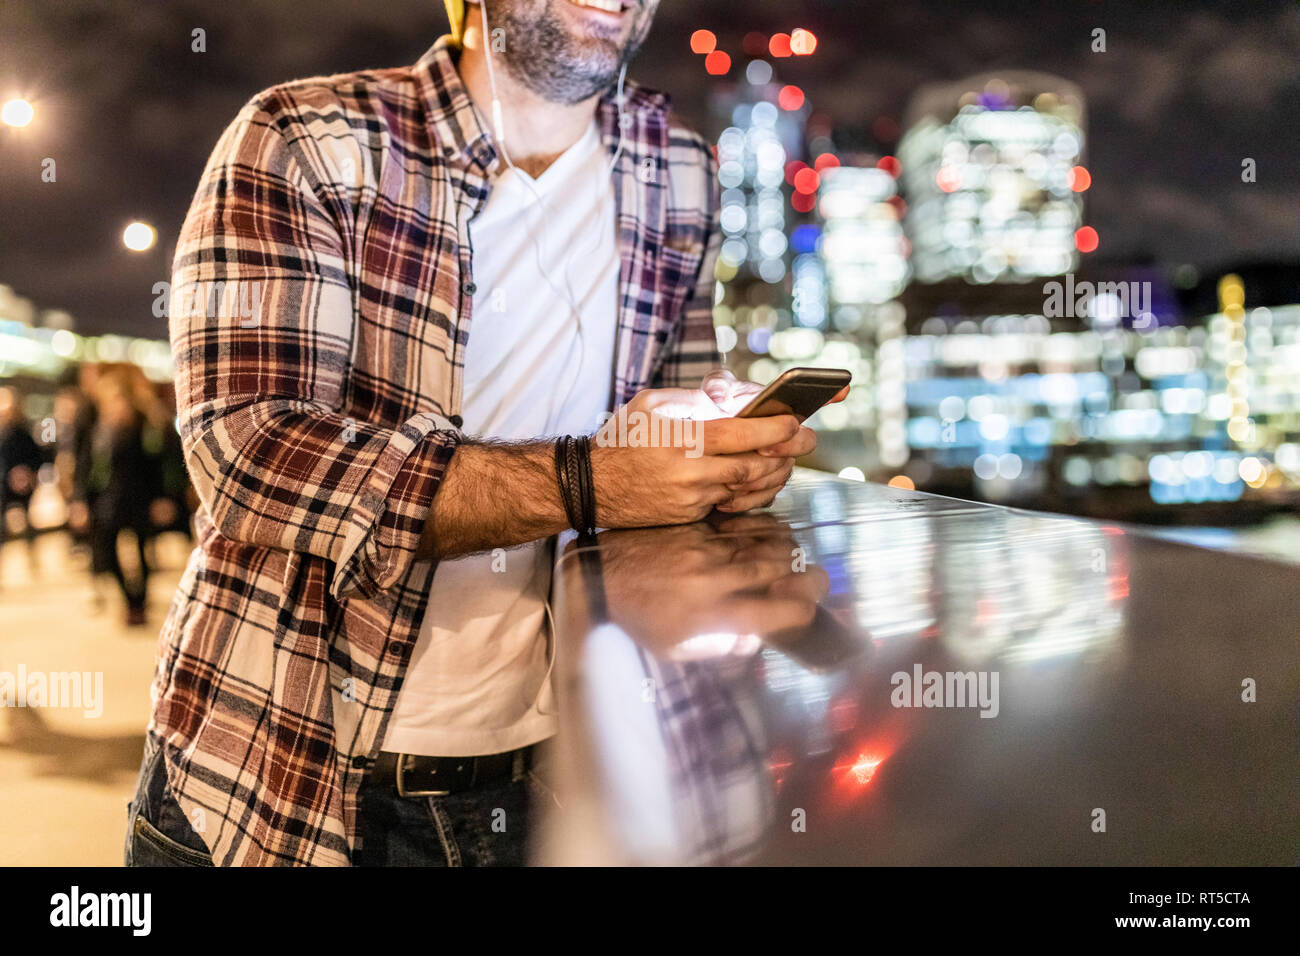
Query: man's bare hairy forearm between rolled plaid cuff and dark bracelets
(495, 496)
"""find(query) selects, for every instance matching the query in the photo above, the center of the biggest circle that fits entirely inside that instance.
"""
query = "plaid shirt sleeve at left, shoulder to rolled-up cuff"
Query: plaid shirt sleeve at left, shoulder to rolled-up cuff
(262, 323)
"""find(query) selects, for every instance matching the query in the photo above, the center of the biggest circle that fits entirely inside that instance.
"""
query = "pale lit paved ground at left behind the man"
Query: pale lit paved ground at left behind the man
(66, 776)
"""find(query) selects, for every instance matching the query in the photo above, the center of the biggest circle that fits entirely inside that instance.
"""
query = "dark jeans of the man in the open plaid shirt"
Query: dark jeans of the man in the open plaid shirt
(488, 827)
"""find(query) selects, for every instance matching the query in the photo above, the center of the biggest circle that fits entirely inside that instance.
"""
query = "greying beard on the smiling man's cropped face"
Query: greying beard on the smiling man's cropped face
(544, 54)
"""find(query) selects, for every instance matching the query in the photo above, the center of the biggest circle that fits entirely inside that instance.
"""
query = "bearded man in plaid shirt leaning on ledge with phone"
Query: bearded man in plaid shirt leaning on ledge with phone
(356, 669)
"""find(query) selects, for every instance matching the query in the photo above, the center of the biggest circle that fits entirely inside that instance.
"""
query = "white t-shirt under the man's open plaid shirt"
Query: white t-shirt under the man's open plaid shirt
(479, 678)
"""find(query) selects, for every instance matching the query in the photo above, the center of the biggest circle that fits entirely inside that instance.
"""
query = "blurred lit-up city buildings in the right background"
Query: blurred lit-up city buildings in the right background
(950, 393)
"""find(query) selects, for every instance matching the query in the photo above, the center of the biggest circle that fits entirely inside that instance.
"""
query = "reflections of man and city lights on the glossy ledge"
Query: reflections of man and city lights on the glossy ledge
(735, 676)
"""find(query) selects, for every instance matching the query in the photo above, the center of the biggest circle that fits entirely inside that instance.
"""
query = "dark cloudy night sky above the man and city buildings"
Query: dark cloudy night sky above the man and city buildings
(129, 114)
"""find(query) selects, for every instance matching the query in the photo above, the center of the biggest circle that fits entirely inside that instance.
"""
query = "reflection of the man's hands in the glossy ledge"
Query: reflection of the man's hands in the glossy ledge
(699, 591)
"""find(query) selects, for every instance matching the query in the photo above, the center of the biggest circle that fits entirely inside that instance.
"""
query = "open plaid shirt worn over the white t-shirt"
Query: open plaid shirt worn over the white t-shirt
(319, 405)
